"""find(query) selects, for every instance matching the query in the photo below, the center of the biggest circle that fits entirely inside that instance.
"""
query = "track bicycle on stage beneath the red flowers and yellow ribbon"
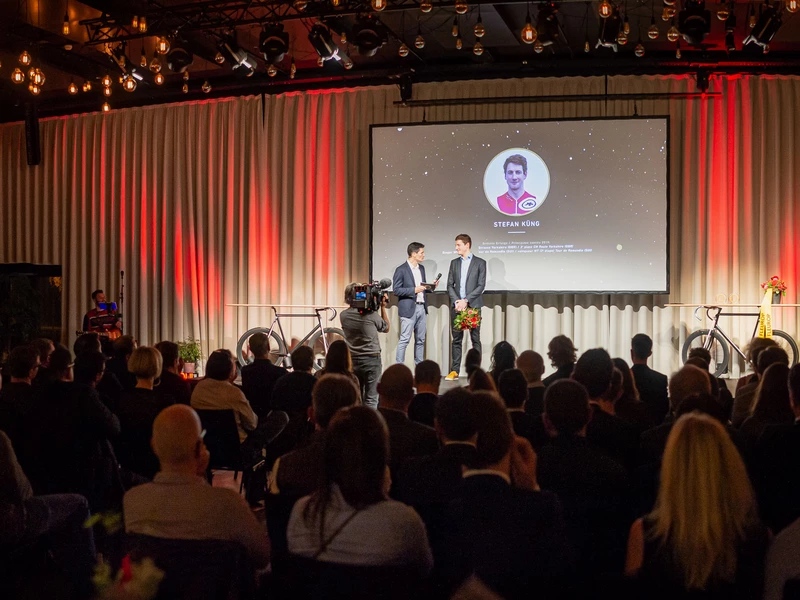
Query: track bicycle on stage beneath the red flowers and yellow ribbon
(718, 343)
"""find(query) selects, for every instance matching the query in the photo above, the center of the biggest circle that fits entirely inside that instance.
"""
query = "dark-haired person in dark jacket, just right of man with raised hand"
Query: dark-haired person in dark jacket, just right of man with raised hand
(593, 488)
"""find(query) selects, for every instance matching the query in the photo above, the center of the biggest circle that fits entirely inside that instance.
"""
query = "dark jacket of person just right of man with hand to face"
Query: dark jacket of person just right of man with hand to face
(595, 493)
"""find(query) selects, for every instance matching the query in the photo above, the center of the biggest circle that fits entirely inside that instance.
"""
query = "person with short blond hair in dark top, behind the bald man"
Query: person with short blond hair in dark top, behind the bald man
(138, 409)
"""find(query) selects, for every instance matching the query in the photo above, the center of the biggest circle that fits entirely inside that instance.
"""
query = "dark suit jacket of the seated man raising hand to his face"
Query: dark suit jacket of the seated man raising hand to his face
(514, 540)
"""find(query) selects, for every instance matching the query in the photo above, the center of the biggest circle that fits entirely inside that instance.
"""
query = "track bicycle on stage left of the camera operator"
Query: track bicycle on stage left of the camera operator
(319, 338)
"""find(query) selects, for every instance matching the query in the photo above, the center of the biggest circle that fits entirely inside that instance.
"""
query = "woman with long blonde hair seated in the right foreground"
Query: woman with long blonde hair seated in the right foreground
(703, 538)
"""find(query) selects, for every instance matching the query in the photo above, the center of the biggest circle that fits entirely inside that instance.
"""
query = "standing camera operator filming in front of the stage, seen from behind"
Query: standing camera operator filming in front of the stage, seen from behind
(361, 329)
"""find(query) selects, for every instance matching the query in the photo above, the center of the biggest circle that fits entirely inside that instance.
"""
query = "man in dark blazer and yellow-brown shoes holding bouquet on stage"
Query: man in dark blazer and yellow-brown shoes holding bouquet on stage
(465, 284)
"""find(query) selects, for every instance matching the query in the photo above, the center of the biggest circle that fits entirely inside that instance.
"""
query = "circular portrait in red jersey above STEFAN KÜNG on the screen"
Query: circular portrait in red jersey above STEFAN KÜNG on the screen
(516, 182)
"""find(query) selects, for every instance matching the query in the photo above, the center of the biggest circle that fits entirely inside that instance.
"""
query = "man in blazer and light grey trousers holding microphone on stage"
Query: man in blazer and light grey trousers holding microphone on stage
(412, 306)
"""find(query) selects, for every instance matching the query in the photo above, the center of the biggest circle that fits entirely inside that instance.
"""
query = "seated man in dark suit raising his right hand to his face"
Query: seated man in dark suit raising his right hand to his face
(502, 527)
